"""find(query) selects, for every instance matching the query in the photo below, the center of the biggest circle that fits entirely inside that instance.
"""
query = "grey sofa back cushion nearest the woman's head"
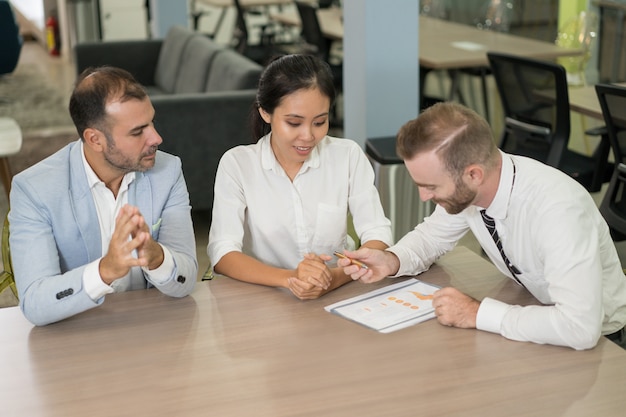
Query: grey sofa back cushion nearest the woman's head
(232, 71)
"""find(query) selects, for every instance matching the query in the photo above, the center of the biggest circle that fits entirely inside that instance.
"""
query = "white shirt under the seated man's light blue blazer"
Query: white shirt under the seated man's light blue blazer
(108, 207)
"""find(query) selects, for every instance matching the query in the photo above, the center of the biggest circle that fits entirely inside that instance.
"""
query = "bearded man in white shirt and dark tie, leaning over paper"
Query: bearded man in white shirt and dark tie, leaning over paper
(553, 238)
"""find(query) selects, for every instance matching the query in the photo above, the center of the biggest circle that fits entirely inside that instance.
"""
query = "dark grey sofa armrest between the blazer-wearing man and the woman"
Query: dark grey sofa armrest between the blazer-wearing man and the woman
(199, 128)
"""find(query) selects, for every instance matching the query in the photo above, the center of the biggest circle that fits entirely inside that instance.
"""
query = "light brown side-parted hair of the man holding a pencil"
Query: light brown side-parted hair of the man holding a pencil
(458, 134)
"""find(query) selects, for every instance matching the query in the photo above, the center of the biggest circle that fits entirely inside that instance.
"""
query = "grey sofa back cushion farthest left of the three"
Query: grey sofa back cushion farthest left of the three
(170, 57)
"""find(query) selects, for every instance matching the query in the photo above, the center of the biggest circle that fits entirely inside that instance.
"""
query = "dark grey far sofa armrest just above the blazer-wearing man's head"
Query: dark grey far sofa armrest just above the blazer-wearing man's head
(139, 57)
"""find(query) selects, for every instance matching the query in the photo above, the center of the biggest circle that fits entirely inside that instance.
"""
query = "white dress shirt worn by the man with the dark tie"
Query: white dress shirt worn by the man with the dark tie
(552, 231)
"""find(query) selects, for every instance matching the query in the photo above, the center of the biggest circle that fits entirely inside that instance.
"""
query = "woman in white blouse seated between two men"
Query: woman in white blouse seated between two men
(282, 205)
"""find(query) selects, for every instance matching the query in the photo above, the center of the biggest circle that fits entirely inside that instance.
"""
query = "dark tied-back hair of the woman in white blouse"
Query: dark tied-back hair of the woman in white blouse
(284, 76)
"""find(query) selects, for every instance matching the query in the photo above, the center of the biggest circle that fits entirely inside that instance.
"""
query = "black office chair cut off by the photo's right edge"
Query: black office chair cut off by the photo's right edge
(613, 206)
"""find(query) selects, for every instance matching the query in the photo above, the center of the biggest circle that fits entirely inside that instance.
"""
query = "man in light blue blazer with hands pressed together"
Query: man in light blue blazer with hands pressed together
(107, 213)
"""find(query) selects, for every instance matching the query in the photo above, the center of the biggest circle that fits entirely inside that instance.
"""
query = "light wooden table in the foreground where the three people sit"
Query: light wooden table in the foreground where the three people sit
(237, 349)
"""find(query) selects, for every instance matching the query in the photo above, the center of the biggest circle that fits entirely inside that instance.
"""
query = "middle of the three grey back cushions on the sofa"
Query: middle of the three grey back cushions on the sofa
(194, 64)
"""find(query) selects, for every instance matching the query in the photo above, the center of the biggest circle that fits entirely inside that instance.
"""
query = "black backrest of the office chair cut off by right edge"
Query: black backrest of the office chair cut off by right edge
(612, 100)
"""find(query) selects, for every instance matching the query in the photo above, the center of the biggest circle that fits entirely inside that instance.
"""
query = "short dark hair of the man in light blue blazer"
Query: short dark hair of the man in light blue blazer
(94, 88)
